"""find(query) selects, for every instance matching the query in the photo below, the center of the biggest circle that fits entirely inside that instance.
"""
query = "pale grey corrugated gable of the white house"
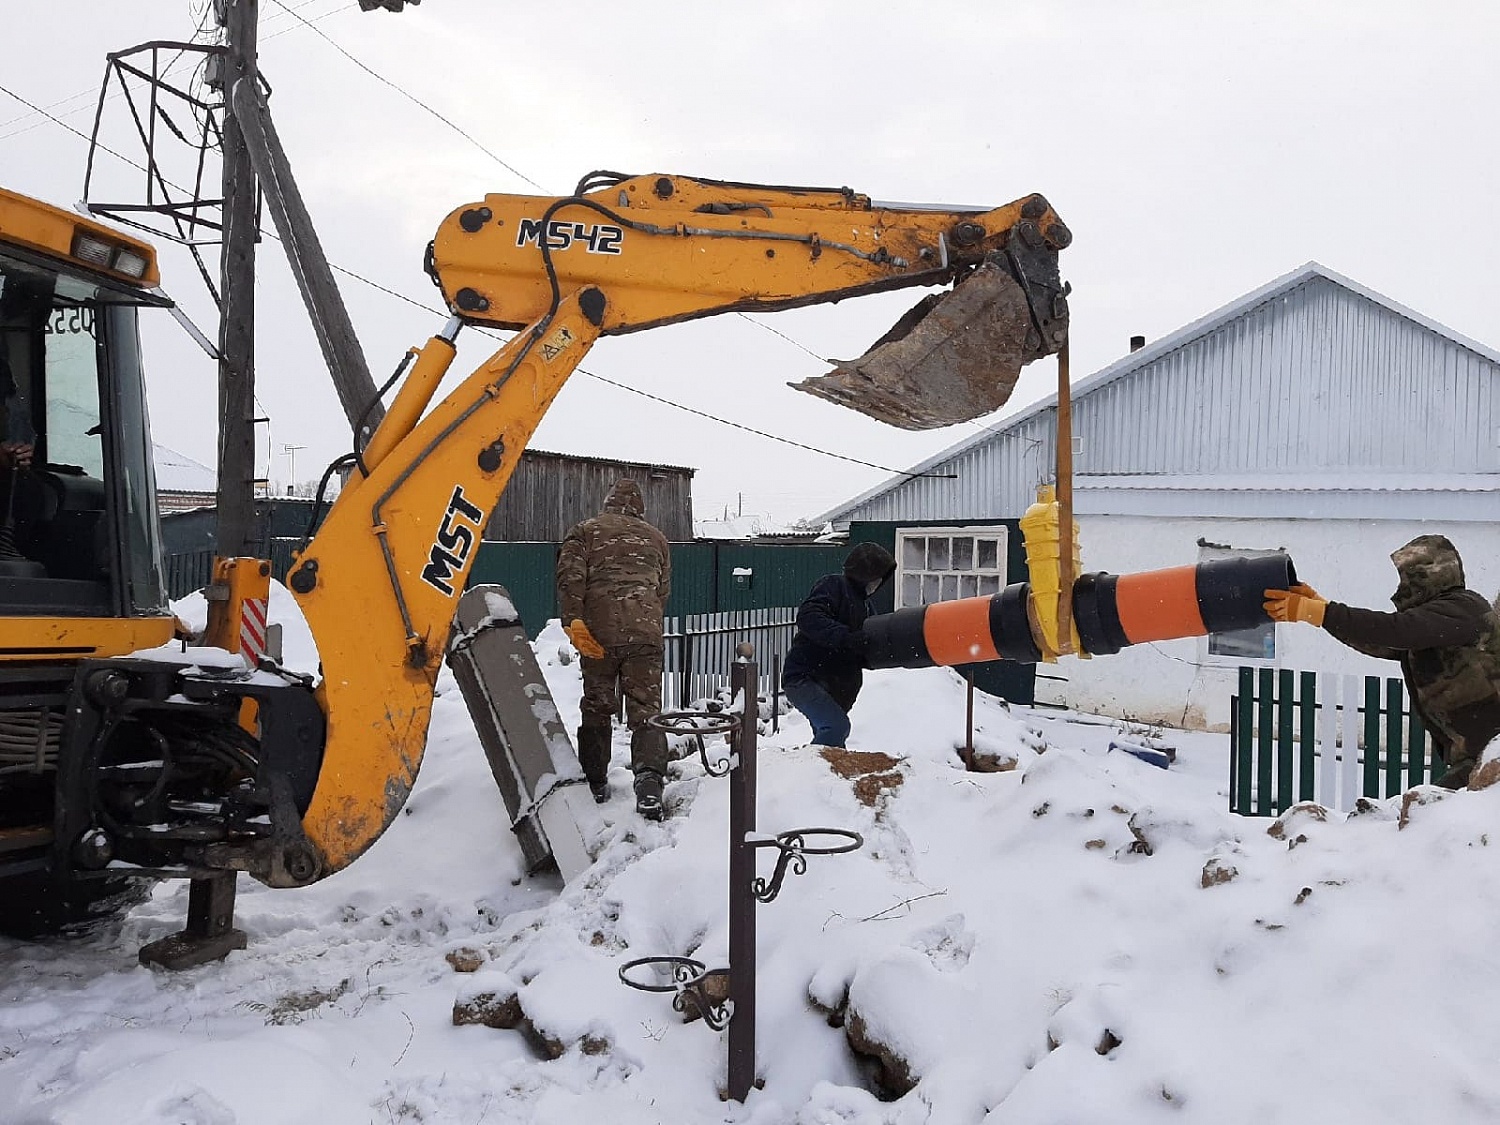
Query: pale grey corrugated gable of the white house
(1318, 377)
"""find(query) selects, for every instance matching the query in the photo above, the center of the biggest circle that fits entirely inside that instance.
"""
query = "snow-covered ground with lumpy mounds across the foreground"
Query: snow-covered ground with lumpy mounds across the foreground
(1085, 938)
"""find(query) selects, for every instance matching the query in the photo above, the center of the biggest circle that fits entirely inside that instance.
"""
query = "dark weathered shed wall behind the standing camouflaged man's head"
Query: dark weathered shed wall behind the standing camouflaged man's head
(550, 493)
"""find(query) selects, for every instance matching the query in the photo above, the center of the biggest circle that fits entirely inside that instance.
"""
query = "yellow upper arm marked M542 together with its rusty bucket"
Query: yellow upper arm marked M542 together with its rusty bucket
(670, 250)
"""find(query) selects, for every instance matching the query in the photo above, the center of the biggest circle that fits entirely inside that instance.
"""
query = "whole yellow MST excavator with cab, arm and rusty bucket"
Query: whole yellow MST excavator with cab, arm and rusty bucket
(122, 758)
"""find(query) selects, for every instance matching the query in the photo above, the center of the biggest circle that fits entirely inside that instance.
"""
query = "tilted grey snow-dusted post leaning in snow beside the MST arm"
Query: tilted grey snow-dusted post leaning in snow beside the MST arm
(526, 742)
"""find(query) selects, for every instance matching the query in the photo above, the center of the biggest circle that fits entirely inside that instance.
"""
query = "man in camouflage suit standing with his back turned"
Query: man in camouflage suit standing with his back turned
(614, 578)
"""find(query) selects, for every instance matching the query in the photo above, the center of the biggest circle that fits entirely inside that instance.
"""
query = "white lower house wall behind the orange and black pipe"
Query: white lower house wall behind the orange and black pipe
(1177, 682)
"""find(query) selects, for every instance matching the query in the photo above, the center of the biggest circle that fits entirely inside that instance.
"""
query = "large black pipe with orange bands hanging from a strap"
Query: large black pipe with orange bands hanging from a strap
(1109, 611)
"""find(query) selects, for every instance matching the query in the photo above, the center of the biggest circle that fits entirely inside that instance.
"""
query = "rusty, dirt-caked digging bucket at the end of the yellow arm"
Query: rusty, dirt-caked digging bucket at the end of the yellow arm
(955, 358)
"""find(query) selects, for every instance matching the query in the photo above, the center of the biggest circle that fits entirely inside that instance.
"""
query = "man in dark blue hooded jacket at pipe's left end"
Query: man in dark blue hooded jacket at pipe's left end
(826, 668)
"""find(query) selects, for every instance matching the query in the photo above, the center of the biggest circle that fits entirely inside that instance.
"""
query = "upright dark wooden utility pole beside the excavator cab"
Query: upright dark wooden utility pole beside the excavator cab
(236, 533)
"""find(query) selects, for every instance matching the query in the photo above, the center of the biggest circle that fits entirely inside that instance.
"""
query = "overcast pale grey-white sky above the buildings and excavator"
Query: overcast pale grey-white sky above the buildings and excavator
(1196, 151)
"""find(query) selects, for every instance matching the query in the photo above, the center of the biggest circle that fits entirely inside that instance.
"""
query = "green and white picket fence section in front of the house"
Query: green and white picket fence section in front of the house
(1322, 737)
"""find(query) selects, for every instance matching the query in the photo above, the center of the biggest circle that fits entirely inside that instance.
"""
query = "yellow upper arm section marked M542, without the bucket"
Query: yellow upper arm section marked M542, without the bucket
(670, 250)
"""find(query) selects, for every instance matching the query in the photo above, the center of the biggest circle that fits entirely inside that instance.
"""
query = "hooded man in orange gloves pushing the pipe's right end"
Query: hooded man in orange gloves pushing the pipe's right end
(1447, 638)
